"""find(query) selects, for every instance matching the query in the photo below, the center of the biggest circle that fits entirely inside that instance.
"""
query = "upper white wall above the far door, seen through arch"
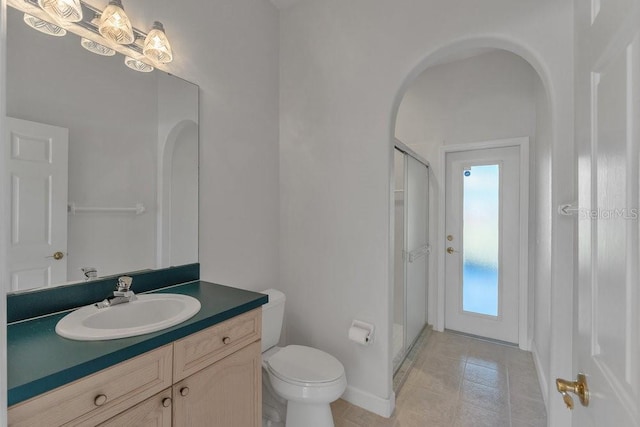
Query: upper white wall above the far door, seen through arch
(485, 97)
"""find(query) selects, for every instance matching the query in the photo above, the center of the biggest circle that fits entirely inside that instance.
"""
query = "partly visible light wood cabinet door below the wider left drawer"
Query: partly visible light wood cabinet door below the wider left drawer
(153, 412)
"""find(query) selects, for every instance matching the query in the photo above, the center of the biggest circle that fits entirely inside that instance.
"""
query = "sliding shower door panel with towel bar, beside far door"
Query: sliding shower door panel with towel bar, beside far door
(416, 246)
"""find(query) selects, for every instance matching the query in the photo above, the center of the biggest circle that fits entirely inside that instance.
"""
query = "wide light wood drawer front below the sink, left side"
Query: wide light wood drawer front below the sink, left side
(100, 396)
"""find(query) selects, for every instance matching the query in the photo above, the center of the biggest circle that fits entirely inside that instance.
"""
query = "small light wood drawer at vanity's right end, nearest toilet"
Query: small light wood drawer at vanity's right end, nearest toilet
(201, 349)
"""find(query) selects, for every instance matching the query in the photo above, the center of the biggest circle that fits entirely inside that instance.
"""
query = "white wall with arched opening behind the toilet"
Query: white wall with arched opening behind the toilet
(343, 69)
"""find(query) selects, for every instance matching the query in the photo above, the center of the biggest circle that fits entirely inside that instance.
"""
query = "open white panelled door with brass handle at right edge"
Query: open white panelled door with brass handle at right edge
(606, 342)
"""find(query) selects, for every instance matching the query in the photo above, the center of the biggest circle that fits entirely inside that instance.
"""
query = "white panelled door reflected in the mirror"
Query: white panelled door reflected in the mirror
(38, 160)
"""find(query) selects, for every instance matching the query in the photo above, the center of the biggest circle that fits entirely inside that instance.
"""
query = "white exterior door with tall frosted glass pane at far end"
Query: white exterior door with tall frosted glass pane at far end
(482, 227)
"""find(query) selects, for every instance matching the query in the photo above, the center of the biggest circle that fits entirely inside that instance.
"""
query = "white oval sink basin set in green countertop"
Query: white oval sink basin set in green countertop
(148, 313)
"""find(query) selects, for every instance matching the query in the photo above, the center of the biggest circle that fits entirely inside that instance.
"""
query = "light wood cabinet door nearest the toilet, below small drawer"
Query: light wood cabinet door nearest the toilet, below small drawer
(225, 394)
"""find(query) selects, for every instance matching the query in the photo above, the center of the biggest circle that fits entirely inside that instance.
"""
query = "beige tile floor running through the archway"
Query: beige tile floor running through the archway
(459, 381)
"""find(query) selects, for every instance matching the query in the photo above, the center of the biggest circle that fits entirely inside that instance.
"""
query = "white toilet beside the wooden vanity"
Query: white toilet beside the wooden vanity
(299, 382)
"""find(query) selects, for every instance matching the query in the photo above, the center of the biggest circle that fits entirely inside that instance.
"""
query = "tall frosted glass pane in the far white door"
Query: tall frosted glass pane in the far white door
(480, 252)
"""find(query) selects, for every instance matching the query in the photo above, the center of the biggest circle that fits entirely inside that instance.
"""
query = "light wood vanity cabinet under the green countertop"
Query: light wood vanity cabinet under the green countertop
(212, 378)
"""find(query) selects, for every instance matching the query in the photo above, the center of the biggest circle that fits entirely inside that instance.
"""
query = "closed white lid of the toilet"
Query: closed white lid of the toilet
(305, 364)
